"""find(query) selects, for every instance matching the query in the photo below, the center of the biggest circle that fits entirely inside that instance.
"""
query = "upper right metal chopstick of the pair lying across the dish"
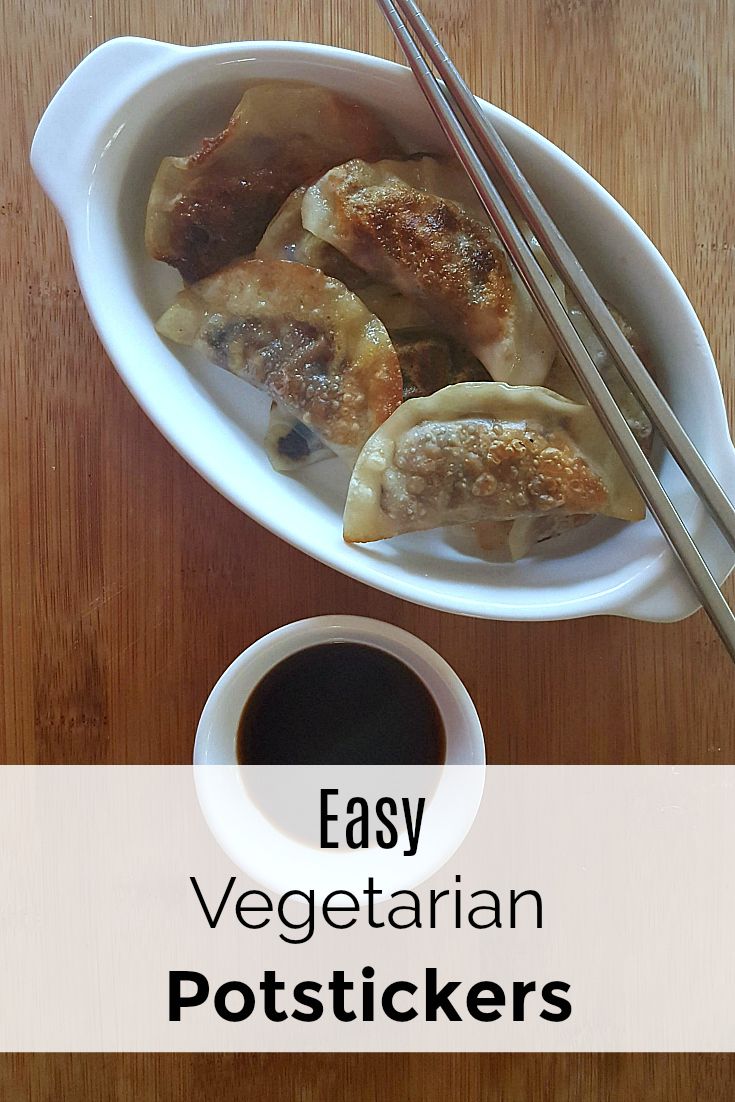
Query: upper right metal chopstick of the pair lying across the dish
(565, 262)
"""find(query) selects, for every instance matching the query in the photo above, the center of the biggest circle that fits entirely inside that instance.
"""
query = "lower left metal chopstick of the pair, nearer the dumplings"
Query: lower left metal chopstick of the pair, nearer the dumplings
(558, 320)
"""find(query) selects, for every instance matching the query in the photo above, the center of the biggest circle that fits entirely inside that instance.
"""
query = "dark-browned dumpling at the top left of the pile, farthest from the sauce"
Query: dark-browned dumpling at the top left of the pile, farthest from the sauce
(213, 207)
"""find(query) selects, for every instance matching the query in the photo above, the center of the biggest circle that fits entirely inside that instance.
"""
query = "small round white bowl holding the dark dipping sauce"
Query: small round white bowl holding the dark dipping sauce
(273, 856)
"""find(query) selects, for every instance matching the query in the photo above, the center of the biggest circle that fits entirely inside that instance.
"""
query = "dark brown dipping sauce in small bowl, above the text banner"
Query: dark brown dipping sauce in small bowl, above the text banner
(341, 704)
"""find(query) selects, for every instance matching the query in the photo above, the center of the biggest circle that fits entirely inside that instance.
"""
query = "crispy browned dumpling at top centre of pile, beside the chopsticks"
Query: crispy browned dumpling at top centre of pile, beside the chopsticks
(438, 252)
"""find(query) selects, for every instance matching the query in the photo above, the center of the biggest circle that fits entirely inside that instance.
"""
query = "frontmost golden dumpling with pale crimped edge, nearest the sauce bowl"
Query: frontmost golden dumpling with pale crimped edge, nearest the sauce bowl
(481, 451)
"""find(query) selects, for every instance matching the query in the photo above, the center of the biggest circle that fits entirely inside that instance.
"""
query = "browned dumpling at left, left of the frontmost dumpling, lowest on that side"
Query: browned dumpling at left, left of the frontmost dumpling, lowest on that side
(299, 336)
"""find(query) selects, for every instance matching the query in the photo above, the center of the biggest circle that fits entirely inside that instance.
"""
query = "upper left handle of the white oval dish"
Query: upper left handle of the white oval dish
(63, 143)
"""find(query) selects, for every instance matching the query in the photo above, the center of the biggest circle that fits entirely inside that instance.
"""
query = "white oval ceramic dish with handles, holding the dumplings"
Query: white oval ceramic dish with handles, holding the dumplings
(96, 150)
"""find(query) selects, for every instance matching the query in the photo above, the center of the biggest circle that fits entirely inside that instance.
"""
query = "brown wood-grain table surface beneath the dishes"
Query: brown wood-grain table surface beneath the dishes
(127, 585)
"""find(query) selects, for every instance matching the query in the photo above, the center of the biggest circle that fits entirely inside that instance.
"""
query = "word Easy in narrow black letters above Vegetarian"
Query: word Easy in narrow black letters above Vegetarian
(362, 826)
